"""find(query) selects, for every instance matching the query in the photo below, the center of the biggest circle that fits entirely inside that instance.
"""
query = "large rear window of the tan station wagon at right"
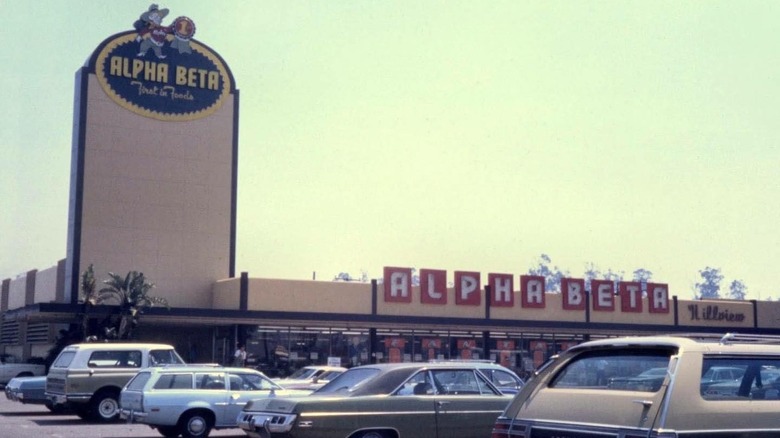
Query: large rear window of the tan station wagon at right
(618, 370)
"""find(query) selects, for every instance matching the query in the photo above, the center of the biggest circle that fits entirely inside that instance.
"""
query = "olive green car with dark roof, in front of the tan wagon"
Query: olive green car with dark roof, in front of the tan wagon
(405, 400)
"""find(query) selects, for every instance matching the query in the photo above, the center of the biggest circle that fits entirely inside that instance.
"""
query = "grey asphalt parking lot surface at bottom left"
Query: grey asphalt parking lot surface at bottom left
(27, 421)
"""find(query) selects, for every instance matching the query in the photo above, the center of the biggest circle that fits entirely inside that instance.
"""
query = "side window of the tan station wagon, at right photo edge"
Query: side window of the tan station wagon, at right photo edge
(758, 379)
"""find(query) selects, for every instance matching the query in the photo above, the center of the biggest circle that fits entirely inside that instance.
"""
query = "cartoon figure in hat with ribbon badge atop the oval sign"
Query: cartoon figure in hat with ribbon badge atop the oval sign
(153, 35)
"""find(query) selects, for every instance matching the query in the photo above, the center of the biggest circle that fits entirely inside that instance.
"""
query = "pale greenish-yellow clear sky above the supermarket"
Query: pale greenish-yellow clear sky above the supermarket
(456, 135)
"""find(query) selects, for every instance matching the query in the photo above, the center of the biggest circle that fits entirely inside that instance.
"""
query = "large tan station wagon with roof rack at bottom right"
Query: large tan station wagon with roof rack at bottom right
(656, 387)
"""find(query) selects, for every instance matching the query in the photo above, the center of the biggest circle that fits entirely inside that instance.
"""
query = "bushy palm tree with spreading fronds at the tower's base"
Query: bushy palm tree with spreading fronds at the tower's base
(131, 293)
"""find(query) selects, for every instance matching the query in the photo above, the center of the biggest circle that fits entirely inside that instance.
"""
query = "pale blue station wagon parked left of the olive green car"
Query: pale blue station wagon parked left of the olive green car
(191, 400)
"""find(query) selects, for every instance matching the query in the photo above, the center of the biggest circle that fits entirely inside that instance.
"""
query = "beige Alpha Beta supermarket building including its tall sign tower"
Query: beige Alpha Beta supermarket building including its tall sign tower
(153, 189)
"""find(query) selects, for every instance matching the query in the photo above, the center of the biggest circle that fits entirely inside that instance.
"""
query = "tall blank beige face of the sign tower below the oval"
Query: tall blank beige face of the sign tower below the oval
(157, 198)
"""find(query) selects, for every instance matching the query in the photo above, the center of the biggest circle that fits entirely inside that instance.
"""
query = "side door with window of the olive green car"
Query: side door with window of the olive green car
(465, 404)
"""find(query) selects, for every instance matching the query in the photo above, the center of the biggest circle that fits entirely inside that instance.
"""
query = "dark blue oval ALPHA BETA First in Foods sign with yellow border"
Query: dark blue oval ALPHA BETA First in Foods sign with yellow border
(171, 82)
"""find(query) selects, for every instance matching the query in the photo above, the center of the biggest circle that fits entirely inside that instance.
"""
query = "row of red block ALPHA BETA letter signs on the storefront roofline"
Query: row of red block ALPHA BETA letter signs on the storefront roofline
(467, 291)
